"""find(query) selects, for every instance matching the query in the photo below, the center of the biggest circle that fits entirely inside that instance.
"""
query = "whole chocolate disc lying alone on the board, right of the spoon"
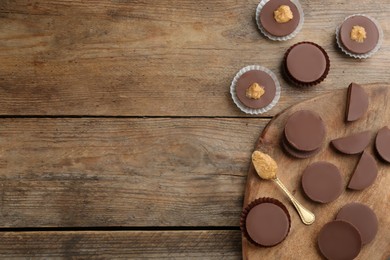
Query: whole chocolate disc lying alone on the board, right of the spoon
(322, 182)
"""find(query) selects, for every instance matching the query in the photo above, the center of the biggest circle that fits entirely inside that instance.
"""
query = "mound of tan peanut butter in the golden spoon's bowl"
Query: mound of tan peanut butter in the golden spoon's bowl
(265, 166)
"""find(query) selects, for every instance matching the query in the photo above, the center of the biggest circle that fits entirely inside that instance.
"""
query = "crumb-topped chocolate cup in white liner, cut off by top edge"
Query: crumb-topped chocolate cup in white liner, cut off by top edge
(279, 19)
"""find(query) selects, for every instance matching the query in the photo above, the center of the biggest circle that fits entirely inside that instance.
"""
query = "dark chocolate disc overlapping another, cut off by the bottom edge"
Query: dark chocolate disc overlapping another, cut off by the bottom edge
(339, 240)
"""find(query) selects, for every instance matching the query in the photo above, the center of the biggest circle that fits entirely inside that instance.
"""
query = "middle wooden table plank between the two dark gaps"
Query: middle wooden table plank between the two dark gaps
(124, 172)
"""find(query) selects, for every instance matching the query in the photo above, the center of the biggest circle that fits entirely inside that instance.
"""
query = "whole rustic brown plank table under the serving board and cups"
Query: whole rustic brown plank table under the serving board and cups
(118, 136)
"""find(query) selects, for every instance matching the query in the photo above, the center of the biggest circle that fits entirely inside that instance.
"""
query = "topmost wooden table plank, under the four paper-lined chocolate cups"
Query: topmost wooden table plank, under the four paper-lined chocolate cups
(165, 58)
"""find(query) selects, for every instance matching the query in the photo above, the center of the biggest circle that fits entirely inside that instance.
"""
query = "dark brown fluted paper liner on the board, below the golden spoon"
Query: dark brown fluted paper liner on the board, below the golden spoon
(254, 203)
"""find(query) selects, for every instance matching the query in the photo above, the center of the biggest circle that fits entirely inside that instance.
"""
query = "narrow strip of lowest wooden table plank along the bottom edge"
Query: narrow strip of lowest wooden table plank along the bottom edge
(121, 244)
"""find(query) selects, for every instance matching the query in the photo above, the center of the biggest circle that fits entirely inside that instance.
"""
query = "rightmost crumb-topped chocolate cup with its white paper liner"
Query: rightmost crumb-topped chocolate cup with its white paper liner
(359, 36)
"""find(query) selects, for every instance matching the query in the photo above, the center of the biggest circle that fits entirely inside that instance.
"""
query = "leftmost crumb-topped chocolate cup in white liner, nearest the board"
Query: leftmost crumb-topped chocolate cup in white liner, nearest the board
(255, 89)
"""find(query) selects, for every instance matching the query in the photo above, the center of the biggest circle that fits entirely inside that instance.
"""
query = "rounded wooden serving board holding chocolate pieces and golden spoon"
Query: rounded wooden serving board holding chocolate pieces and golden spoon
(301, 243)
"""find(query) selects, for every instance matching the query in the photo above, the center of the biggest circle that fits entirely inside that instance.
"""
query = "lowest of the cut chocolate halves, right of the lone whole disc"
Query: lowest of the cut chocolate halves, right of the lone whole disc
(365, 173)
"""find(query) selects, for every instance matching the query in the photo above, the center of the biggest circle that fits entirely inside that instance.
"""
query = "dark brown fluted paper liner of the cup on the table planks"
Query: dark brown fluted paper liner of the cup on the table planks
(306, 84)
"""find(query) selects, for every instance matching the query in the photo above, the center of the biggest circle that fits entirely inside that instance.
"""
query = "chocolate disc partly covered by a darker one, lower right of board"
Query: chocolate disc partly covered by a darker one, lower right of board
(361, 217)
